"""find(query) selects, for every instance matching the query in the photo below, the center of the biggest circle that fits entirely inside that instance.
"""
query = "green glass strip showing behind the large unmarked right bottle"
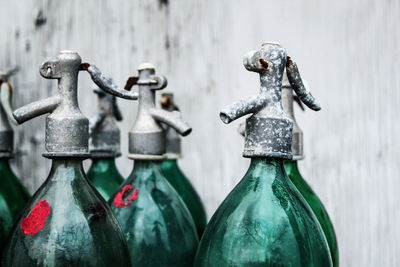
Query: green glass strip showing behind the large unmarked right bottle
(316, 205)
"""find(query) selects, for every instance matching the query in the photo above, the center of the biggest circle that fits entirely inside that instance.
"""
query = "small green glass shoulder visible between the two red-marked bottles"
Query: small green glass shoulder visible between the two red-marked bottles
(104, 176)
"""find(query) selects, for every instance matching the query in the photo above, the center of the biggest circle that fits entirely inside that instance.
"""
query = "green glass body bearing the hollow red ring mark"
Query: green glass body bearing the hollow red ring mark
(158, 227)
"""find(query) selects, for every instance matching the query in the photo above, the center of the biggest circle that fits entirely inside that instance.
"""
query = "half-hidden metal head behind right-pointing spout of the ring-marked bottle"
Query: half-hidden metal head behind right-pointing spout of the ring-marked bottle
(172, 138)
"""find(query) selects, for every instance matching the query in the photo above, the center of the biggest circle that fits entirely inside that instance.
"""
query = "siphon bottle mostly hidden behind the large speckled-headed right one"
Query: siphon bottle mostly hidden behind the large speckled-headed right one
(297, 179)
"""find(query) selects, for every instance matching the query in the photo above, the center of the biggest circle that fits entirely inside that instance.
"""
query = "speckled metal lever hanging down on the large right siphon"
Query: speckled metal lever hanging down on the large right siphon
(298, 86)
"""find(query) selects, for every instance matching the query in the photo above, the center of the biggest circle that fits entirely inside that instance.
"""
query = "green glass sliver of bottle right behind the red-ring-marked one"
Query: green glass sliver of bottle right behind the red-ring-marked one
(186, 191)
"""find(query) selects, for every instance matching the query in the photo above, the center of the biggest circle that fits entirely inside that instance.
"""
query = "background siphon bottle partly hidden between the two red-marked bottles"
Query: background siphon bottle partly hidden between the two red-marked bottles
(104, 146)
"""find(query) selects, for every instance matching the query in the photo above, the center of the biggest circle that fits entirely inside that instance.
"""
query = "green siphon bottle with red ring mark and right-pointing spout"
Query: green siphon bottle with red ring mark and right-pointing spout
(157, 224)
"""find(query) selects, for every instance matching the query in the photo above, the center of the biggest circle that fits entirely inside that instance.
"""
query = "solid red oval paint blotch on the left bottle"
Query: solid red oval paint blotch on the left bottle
(35, 221)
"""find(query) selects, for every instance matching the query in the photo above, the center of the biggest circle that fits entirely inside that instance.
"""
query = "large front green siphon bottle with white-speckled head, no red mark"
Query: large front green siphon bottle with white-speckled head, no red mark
(265, 221)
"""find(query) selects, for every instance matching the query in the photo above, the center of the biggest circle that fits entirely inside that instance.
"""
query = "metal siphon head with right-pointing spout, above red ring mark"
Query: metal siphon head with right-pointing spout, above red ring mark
(147, 137)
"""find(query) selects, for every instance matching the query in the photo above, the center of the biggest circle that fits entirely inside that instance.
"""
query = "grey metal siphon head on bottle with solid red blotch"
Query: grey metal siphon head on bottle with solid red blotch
(67, 130)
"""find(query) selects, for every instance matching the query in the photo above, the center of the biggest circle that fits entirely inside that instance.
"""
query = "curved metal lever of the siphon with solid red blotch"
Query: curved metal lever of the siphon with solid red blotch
(106, 84)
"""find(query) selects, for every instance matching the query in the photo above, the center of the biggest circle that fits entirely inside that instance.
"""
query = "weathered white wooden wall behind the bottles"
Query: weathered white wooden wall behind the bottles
(347, 50)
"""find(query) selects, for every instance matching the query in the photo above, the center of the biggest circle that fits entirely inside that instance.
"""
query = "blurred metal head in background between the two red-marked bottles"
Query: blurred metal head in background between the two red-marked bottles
(104, 134)
